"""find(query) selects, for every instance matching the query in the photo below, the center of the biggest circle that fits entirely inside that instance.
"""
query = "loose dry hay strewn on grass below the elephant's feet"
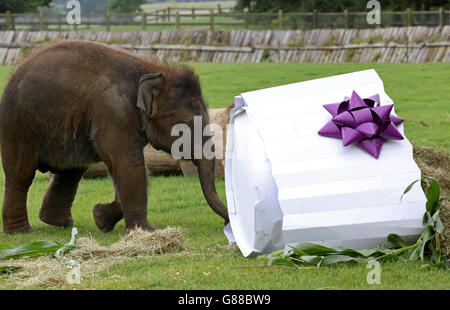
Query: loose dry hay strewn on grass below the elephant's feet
(93, 258)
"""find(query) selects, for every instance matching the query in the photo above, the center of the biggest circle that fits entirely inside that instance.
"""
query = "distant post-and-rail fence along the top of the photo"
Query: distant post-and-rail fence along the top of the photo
(219, 18)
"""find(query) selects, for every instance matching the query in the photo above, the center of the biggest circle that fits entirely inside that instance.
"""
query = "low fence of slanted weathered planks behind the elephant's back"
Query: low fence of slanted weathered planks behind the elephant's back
(391, 44)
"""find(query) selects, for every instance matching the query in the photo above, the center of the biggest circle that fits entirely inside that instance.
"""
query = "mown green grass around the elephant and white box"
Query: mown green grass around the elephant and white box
(420, 93)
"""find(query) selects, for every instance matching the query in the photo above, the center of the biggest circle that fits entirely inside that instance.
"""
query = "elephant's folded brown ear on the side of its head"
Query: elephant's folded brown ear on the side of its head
(147, 85)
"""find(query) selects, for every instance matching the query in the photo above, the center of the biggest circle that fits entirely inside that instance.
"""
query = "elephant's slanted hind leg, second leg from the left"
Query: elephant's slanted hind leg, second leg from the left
(57, 203)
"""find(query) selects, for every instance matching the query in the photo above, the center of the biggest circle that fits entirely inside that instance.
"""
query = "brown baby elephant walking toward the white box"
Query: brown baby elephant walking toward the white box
(74, 103)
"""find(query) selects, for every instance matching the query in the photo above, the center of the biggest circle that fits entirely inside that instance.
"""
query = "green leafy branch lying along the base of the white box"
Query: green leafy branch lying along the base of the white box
(427, 248)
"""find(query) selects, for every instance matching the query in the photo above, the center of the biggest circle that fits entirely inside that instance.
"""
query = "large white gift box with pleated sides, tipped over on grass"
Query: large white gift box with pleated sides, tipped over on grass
(286, 184)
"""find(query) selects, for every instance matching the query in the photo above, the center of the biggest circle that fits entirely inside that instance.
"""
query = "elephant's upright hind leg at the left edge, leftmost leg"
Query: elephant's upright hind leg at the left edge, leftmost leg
(19, 174)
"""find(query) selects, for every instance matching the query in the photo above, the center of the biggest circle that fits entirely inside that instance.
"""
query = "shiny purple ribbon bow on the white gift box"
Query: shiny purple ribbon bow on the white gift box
(362, 121)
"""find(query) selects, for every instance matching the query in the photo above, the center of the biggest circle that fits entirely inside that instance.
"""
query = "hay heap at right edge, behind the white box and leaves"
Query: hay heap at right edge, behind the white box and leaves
(436, 163)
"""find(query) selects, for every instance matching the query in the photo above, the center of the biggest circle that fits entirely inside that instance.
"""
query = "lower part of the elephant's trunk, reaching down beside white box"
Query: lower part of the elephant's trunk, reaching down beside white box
(206, 170)
